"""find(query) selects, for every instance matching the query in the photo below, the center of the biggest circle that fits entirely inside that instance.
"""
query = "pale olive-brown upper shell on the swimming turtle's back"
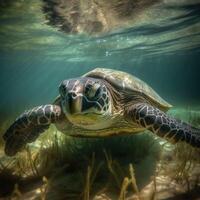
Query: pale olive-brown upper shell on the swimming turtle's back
(129, 83)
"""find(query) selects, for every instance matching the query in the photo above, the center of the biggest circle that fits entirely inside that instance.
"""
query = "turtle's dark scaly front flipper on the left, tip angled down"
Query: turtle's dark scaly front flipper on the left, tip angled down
(27, 127)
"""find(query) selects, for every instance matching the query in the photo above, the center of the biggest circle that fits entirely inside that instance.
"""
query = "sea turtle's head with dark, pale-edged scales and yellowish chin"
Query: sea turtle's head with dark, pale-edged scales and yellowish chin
(86, 102)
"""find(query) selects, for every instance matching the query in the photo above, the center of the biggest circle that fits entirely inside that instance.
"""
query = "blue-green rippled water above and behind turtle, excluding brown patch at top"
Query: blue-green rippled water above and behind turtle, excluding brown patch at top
(162, 48)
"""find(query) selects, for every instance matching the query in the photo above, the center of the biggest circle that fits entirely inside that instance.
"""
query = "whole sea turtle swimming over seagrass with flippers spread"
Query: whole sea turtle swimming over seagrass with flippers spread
(103, 102)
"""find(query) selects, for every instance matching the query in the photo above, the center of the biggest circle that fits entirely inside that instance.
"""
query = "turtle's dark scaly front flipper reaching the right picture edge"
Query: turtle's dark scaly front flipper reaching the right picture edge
(163, 125)
